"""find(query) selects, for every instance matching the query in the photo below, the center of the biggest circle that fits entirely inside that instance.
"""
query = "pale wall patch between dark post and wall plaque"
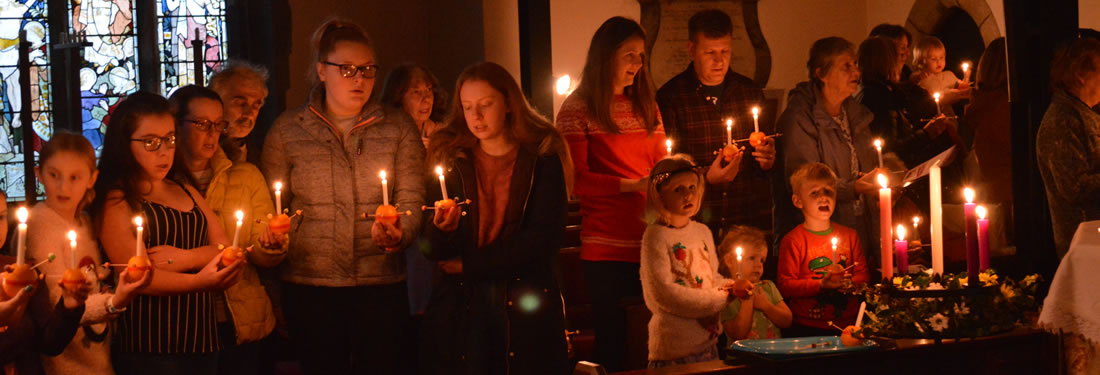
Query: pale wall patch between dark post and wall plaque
(573, 24)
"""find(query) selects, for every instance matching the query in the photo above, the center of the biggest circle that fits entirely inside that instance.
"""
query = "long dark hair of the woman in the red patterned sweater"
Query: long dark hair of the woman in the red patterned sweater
(598, 78)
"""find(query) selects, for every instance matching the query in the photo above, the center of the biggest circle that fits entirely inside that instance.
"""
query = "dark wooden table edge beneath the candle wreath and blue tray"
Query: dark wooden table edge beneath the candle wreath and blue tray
(1024, 351)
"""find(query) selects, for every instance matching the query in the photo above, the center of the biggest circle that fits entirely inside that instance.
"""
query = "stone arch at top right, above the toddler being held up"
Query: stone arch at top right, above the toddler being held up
(927, 16)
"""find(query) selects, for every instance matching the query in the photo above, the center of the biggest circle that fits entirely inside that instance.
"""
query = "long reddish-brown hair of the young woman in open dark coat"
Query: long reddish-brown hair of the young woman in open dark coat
(525, 126)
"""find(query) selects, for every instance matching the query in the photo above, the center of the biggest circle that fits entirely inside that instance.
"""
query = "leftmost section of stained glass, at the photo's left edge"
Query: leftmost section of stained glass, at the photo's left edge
(15, 16)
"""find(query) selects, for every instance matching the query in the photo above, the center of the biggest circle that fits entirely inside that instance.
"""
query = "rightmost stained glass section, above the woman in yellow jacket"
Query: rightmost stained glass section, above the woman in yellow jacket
(181, 23)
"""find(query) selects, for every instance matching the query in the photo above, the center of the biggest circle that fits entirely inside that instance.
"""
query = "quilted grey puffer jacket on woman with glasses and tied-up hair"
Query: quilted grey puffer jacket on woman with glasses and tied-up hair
(334, 181)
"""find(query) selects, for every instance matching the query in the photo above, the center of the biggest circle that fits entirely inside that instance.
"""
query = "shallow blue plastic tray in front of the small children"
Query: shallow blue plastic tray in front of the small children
(780, 349)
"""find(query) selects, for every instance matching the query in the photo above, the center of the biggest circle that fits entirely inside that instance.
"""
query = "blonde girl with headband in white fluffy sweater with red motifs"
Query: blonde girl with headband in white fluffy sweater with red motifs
(680, 278)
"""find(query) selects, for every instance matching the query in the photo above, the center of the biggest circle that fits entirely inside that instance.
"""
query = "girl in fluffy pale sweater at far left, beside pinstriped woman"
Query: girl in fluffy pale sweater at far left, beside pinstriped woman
(69, 172)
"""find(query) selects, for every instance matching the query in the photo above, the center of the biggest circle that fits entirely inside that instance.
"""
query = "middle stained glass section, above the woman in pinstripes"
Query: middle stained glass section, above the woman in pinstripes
(111, 63)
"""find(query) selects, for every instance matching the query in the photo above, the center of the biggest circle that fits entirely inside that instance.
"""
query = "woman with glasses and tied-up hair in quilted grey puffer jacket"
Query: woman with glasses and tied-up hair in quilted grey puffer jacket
(345, 292)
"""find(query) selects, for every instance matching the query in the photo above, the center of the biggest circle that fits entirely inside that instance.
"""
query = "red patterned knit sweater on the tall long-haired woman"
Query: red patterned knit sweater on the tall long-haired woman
(613, 222)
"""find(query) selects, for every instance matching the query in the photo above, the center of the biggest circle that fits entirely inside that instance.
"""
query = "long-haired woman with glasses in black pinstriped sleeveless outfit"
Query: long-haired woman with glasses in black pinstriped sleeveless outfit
(172, 327)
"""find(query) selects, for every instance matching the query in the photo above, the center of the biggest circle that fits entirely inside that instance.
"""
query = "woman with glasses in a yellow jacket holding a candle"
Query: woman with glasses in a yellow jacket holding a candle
(245, 315)
